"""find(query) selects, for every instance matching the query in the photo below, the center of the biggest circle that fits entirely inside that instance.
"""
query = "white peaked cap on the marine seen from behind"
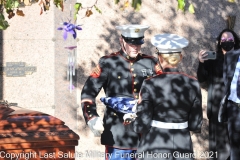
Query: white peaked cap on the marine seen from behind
(169, 43)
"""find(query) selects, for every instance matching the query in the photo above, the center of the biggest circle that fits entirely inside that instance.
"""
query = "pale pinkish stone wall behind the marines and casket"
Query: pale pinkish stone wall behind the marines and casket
(34, 39)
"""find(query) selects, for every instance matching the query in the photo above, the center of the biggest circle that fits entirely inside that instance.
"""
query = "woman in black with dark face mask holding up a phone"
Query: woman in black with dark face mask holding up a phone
(210, 76)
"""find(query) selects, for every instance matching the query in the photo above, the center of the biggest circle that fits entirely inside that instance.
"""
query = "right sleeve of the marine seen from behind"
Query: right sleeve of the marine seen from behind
(196, 113)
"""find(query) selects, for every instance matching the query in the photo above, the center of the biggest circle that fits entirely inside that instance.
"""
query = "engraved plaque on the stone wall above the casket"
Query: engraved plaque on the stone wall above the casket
(18, 69)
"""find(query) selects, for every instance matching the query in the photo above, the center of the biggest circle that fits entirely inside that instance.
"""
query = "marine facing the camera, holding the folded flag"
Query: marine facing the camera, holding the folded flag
(120, 74)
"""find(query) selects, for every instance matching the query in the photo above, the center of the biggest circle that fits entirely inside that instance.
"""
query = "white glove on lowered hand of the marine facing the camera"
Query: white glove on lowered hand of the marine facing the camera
(96, 126)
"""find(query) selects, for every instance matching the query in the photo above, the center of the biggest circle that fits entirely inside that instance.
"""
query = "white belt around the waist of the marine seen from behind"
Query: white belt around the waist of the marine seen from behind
(165, 125)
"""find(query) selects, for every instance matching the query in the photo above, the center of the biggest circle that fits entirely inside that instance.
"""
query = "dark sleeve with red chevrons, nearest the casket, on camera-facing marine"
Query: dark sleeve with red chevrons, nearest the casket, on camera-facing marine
(91, 88)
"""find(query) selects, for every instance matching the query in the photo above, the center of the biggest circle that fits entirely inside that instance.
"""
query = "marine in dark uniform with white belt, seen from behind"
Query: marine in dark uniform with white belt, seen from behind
(169, 107)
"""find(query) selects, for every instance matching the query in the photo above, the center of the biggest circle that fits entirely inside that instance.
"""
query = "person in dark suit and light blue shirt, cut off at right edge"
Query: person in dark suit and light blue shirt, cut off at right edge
(230, 110)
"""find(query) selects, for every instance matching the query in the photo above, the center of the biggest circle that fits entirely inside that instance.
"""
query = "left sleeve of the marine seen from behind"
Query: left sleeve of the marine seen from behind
(144, 111)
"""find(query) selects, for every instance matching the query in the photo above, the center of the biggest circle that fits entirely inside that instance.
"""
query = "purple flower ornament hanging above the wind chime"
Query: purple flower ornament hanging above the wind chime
(69, 28)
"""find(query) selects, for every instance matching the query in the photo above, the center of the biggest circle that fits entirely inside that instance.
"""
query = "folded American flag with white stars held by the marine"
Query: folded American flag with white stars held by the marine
(120, 104)
